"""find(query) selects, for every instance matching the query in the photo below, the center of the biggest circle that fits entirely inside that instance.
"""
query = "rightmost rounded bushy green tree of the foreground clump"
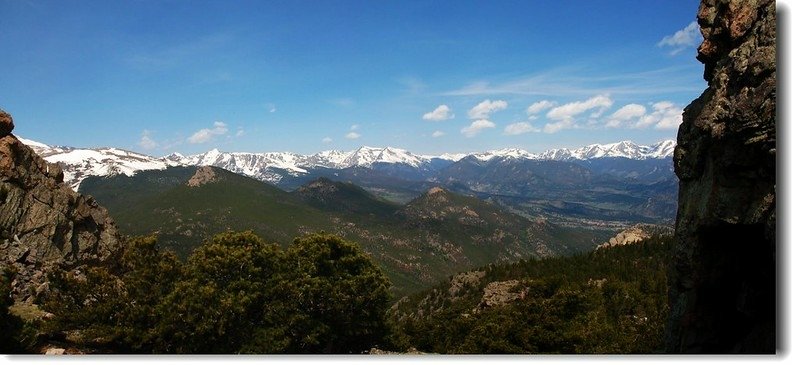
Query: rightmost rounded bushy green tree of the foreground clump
(342, 296)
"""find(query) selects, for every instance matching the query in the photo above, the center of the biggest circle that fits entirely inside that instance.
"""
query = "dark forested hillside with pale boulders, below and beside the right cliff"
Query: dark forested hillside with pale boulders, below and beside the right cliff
(613, 300)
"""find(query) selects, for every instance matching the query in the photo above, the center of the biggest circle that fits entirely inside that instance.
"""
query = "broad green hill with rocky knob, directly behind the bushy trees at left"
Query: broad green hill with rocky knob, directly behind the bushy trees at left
(184, 215)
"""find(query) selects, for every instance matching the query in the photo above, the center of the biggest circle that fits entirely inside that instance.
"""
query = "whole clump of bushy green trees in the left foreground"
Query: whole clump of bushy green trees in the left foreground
(235, 294)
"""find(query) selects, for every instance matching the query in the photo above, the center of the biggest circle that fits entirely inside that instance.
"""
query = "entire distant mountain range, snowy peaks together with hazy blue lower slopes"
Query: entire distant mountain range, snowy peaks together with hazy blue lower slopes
(615, 184)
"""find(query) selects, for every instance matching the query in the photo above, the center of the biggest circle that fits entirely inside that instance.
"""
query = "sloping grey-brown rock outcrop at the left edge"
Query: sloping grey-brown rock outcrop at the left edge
(43, 223)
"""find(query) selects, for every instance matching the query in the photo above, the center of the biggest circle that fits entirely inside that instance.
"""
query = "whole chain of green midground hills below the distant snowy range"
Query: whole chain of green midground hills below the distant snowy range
(413, 250)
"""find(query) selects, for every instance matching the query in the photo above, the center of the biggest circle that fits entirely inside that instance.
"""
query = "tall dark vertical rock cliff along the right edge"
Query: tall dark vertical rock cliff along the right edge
(723, 283)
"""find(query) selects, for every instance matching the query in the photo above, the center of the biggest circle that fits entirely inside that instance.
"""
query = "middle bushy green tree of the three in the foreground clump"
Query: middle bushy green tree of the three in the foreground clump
(230, 283)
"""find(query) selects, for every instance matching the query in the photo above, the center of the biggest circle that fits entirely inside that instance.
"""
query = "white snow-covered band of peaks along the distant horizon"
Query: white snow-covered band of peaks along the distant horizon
(79, 163)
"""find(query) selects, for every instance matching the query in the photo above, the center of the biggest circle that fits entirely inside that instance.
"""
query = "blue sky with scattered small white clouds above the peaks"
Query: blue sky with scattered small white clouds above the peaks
(305, 76)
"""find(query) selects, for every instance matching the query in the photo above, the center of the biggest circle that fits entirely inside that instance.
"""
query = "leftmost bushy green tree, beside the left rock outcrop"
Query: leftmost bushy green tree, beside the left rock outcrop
(115, 306)
